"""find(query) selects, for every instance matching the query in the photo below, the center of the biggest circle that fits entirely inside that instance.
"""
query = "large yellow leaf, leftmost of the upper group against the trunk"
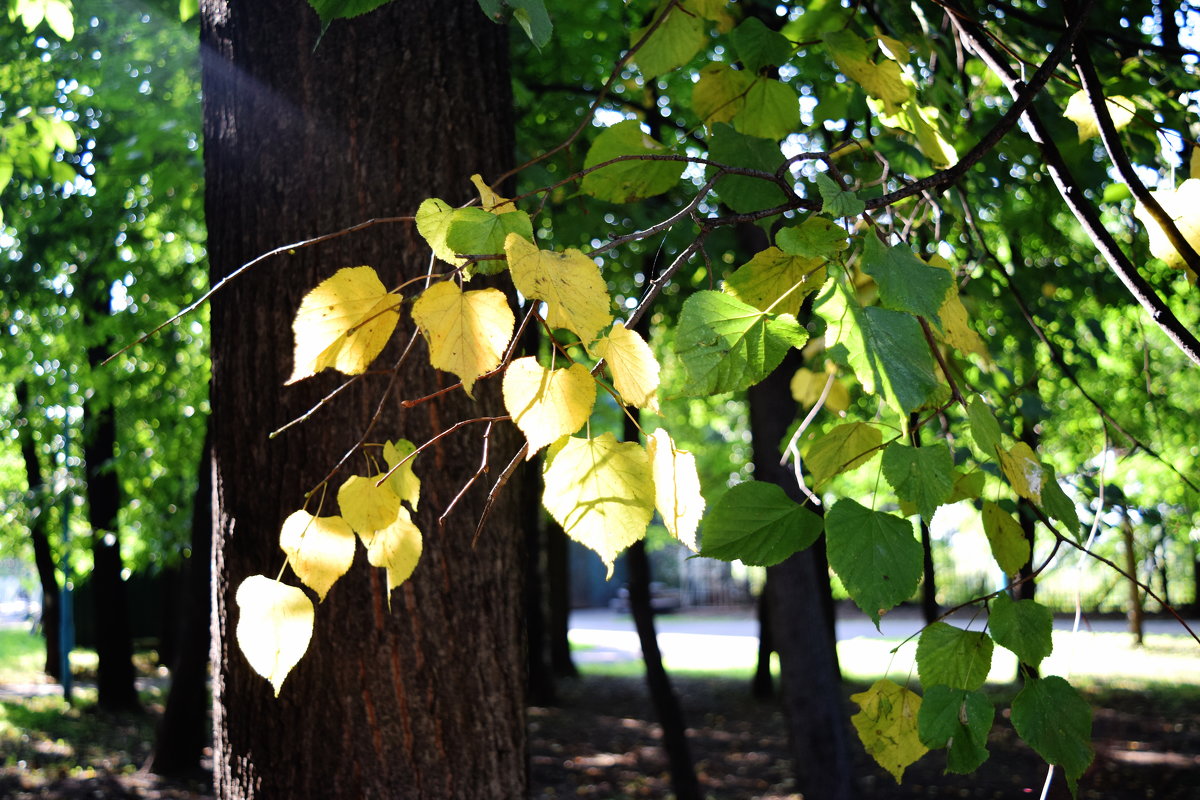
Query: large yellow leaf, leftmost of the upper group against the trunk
(344, 323)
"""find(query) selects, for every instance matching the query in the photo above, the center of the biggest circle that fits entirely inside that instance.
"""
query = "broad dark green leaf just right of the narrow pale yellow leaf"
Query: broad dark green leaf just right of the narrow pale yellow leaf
(757, 524)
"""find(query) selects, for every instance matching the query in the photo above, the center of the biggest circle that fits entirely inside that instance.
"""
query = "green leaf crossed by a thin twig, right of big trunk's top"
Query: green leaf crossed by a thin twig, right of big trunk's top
(627, 182)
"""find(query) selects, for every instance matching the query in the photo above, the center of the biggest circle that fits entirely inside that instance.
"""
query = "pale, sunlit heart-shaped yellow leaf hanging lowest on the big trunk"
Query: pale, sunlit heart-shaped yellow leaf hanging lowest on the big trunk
(274, 627)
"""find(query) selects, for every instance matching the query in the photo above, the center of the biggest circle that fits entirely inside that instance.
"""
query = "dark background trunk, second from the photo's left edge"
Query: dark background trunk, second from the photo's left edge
(115, 643)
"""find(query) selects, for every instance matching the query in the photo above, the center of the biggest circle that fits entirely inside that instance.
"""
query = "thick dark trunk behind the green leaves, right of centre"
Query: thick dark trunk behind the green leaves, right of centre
(801, 617)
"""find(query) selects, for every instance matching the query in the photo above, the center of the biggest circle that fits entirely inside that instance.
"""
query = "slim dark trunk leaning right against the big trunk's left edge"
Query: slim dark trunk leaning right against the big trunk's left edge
(184, 731)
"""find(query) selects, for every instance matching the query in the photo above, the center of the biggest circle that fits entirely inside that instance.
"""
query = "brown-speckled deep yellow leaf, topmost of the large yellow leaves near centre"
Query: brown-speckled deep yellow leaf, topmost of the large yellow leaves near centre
(569, 282)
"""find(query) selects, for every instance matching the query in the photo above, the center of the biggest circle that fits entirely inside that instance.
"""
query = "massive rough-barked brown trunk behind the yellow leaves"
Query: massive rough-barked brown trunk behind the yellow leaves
(423, 699)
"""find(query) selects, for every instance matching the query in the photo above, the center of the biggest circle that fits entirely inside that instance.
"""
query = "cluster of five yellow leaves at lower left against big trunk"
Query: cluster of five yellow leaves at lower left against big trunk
(275, 619)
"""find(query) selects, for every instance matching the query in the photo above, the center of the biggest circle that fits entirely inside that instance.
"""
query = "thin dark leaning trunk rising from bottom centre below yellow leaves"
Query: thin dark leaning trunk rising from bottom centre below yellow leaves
(667, 703)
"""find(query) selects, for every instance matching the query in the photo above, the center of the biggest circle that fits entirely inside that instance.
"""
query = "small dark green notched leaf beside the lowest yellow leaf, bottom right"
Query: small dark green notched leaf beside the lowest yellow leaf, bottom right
(961, 721)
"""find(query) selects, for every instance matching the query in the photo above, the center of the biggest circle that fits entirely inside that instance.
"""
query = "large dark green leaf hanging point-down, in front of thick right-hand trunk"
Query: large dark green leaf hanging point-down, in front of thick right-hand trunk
(875, 556)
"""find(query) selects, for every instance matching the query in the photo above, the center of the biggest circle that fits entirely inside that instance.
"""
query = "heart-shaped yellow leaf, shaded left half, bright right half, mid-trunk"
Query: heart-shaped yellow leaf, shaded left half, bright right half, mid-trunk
(467, 332)
